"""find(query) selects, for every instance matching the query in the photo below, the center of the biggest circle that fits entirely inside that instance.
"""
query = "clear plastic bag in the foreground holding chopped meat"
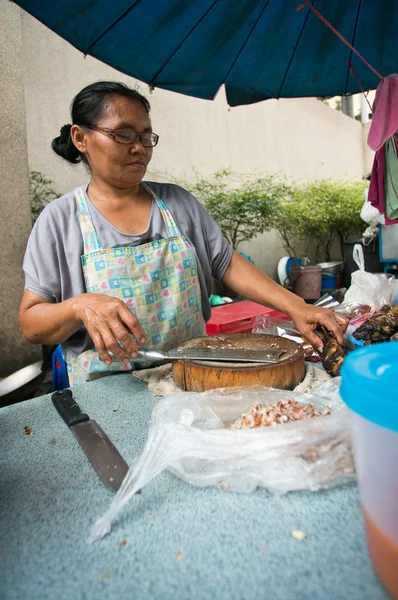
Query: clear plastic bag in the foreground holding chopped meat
(188, 436)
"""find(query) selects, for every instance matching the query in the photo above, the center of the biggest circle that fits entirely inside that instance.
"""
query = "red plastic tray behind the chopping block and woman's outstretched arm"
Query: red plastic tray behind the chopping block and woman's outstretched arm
(238, 317)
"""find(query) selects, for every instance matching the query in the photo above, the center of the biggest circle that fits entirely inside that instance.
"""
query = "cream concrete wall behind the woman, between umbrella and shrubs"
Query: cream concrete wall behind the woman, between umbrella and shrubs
(305, 139)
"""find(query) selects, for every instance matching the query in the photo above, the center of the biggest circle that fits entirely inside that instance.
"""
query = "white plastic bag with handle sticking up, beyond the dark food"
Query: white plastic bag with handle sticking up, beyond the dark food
(373, 289)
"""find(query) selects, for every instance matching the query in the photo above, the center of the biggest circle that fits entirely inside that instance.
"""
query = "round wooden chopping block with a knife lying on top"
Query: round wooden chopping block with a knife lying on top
(201, 375)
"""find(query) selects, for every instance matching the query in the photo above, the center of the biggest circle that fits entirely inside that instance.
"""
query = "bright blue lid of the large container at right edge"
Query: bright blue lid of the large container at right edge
(370, 383)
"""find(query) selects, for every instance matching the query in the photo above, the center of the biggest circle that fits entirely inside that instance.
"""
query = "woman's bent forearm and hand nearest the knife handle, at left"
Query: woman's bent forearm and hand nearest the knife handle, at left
(108, 321)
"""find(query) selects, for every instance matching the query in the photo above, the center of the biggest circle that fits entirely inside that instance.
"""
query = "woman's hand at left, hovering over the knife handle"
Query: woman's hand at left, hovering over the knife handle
(109, 323)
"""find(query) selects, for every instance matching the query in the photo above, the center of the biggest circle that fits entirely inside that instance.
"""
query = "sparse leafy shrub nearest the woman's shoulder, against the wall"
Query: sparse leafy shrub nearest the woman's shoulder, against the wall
(242, 205)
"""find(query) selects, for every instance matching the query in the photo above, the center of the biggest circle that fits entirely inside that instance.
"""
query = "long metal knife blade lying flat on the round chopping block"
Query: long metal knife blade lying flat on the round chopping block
(271, 355)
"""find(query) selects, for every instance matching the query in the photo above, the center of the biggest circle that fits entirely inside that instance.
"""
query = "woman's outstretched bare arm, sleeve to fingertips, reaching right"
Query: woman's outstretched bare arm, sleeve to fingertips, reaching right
(249, 282)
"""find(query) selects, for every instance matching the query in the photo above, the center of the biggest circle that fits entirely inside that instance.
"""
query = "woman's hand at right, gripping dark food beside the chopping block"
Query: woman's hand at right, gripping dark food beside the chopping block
(307, 317)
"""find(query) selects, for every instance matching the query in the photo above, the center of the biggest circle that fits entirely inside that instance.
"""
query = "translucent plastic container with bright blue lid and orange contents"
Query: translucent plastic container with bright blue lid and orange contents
(369, 388)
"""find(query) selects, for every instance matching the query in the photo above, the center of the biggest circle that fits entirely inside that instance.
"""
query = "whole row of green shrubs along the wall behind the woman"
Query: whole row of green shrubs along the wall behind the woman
(307, 215)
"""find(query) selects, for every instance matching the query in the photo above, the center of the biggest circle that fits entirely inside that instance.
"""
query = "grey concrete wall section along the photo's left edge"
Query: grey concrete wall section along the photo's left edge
(15, 222)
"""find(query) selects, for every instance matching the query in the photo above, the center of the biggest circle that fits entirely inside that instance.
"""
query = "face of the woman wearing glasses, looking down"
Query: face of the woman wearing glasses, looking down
(119, 165)
